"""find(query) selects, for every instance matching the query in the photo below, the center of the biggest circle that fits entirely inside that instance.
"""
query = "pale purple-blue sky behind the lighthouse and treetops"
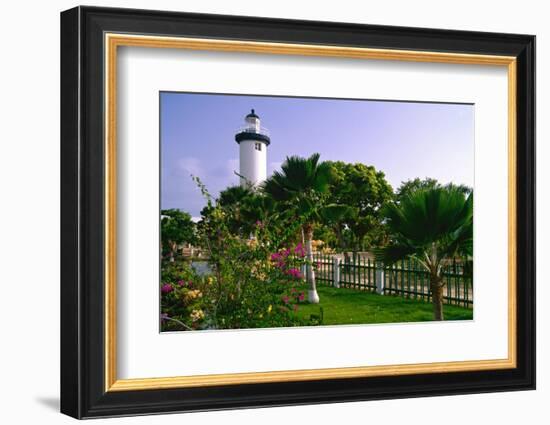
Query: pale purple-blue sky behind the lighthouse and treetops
(403, 139)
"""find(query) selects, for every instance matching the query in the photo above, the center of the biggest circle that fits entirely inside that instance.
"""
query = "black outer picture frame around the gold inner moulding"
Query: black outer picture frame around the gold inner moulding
(83, 392)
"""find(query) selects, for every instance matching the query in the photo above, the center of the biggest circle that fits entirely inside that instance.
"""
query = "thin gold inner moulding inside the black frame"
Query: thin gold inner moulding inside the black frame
(113, 41)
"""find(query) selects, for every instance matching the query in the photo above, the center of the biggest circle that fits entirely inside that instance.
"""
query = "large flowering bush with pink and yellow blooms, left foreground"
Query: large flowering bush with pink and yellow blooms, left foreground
(253, 282)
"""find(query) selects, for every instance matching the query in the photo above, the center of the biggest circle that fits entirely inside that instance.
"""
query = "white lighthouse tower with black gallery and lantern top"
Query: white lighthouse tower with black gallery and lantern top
(253, 141)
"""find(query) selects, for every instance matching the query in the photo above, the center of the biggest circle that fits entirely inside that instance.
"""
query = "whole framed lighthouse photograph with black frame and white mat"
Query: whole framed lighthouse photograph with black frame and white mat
(261, 212)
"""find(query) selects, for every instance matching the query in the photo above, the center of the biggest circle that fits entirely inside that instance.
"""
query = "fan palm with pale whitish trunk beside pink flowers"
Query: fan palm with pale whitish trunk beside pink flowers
(302, 185)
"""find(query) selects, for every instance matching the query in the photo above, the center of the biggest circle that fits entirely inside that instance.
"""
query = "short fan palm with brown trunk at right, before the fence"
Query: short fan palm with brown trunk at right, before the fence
(432, 226)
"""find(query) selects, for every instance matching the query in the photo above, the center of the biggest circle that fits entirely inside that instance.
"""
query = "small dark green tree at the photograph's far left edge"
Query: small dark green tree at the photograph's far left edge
(176, 227)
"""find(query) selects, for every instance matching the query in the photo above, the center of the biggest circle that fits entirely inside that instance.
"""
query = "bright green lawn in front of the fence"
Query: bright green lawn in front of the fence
(347, 306)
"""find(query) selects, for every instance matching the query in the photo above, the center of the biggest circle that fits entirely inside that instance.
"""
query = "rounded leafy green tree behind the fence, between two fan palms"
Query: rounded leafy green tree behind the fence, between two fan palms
(364, 190)
